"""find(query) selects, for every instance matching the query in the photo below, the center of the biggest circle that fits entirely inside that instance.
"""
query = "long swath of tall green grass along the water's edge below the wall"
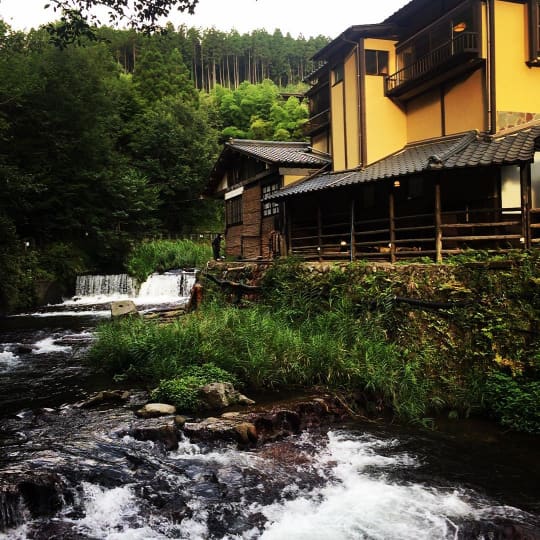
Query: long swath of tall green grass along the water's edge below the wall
(264, 350)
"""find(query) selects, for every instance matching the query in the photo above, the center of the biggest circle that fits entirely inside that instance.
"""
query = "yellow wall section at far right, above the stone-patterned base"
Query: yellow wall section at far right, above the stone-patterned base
(518, 86)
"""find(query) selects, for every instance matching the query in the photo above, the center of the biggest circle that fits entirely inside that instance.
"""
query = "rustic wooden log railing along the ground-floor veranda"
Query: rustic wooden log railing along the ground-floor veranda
(434, 234)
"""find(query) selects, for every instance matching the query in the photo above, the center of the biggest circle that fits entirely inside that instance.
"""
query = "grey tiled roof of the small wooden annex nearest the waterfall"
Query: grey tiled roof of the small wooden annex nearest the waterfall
(283, 153)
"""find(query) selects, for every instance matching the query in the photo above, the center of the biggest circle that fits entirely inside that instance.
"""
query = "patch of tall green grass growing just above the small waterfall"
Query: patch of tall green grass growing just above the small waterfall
(161, 255)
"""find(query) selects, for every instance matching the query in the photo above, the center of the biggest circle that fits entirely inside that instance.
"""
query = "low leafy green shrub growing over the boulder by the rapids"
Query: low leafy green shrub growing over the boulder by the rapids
(182, 392)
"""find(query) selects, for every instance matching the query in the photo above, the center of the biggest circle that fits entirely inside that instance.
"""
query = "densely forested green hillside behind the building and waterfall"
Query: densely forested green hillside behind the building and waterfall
(112, 142)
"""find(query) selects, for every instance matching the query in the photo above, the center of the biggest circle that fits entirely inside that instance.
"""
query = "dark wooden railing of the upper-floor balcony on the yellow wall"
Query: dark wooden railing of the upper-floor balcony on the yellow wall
(466, 43)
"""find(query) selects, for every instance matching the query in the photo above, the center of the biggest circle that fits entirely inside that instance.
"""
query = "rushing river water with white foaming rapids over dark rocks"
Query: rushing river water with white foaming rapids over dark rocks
(82, 476)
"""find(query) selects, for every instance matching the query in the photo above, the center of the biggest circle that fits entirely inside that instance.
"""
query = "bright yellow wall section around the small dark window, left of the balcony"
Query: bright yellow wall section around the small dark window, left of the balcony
(386, 122)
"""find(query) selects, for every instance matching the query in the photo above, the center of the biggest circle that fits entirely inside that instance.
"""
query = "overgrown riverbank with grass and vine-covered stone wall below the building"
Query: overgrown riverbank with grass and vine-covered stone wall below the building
(418, 339)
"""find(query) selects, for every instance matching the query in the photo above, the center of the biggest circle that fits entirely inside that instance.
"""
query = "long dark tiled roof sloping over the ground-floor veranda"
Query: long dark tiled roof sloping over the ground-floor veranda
(460, 151)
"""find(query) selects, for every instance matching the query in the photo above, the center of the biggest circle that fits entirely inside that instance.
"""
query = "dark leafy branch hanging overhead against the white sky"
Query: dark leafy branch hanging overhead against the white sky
(78, 16)
